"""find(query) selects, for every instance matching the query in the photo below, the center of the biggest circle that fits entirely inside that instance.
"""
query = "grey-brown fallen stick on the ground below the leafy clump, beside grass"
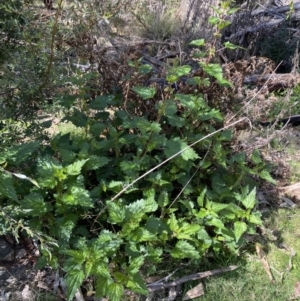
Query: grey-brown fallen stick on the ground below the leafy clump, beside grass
(157, 287)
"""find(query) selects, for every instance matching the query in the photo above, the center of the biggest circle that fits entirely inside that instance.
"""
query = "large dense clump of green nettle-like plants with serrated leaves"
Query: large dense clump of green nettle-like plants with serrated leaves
(127, 180)
